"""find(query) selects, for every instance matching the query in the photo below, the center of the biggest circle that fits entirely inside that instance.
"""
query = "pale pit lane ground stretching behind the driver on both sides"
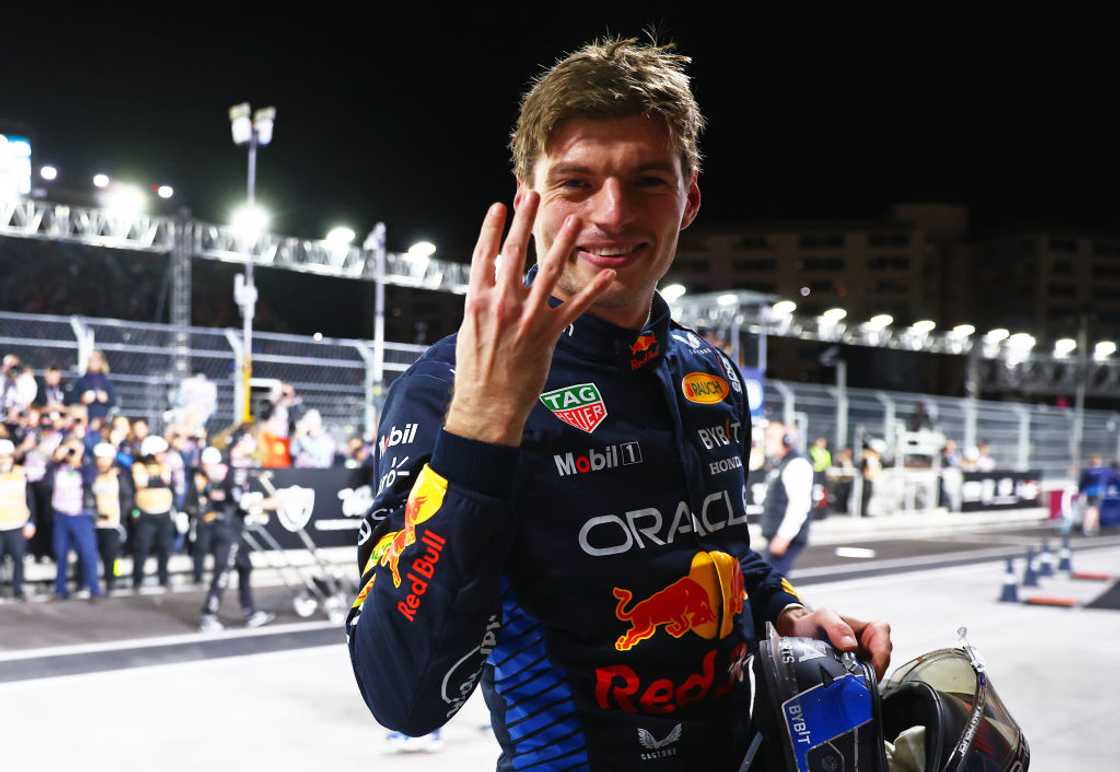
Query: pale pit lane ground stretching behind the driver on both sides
(284, 697)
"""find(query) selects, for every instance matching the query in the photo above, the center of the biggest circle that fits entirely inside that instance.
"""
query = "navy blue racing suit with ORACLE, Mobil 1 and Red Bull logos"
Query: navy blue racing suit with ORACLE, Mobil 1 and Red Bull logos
(599, 581)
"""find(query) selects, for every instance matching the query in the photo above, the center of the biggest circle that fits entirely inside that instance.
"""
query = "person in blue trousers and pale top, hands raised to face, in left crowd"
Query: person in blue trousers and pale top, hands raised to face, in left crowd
(73, 522)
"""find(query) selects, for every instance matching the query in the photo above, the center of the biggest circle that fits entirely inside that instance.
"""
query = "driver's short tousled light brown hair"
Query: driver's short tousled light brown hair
(610, 78)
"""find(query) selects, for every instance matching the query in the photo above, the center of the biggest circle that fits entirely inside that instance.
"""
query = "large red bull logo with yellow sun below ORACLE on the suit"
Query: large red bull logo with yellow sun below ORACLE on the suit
(715, 581)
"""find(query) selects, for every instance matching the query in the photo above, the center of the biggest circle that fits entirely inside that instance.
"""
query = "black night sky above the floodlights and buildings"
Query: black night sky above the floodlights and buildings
(404, 116)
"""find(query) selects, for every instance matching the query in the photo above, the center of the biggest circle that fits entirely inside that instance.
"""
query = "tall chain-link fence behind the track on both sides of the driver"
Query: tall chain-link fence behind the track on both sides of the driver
(339, 378)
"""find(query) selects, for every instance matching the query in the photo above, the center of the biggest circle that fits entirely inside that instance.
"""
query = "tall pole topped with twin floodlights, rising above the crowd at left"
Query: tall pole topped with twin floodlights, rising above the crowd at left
(255, 133)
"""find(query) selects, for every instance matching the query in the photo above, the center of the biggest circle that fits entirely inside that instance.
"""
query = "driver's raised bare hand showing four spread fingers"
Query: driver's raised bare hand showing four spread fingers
(505, 349)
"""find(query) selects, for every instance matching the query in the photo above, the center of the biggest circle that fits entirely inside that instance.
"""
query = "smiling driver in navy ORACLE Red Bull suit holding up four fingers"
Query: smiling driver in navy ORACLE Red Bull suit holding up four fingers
(574, 533)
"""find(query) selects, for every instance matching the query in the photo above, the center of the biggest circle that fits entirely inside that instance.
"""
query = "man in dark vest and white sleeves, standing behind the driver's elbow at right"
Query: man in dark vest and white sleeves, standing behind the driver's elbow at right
(789, 499)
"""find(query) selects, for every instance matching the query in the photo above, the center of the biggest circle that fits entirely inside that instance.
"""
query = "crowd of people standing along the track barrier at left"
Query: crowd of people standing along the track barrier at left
(79, 478)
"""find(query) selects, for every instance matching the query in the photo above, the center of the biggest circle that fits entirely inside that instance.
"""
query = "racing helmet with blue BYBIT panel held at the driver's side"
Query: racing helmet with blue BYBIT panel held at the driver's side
(820, 711)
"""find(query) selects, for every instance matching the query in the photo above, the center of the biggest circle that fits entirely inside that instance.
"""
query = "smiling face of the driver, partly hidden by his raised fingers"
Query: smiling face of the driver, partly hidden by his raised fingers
(624, 181)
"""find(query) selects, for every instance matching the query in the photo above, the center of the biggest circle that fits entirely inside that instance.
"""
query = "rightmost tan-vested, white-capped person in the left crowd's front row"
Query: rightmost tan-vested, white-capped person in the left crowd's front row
(154, 499)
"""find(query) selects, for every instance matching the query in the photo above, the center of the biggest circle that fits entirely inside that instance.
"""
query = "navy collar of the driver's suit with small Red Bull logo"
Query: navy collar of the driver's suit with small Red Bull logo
(595, 339)
